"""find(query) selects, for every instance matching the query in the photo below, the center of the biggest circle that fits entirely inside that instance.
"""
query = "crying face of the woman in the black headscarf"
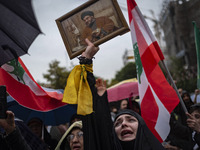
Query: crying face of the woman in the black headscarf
(126, 127)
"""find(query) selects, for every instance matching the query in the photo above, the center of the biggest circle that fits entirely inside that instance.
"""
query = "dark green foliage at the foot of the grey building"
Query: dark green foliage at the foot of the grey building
(185, 77)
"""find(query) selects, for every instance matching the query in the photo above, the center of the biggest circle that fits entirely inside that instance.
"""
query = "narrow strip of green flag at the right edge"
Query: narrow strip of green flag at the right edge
(197, 43)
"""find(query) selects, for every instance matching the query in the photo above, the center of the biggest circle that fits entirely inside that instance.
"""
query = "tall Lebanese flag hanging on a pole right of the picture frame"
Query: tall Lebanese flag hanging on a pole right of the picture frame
(157, 97)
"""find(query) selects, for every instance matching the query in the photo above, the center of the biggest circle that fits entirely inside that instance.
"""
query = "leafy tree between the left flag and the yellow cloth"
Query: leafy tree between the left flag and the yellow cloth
(56, 76)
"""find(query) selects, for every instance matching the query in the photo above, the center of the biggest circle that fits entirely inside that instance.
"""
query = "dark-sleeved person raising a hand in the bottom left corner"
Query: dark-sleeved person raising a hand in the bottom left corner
(12, 139)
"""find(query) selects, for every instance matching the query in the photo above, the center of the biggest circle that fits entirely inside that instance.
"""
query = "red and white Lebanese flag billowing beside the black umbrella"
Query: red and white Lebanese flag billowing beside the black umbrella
(25, 90)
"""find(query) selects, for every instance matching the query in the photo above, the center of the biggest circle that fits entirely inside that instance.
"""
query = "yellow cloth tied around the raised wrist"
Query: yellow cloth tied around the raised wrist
(77, 90)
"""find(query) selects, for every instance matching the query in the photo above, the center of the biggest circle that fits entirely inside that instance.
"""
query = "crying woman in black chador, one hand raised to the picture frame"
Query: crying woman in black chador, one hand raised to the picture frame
(98, 126)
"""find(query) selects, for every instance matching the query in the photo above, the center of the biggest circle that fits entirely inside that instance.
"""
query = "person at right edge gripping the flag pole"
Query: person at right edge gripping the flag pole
(193, 122)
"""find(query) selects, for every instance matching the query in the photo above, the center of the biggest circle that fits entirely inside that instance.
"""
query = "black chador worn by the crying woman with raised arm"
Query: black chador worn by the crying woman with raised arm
(99, 131)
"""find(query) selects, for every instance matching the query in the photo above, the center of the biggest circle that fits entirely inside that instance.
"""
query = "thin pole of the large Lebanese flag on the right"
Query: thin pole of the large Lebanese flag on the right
(173, 84)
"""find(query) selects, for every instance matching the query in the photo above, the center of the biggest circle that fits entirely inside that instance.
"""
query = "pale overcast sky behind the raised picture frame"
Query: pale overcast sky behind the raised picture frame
(49, 46)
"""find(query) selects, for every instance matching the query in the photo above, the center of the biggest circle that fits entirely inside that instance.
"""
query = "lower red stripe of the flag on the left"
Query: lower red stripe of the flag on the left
(24, 95)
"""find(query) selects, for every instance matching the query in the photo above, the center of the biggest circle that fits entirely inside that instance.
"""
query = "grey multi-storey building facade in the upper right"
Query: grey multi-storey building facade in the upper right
(176, 22)
